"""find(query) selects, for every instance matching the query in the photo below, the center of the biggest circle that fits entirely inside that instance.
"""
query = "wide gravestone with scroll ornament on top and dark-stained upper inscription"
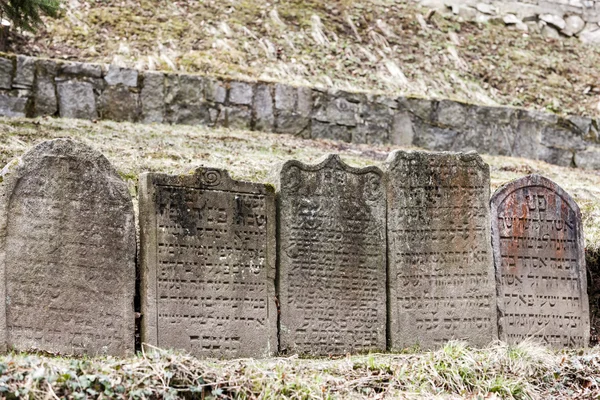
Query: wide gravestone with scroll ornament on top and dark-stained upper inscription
(208, 264)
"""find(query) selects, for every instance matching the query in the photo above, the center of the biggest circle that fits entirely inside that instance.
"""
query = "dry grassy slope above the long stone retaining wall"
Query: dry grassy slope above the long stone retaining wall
(358, 44)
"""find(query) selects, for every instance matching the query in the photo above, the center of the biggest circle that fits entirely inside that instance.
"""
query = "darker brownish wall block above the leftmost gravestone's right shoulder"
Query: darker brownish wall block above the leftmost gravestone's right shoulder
(120, 103)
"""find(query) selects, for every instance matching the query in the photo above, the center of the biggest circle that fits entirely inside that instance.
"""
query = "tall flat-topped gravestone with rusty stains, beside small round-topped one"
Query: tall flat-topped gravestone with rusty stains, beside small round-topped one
(441, 276)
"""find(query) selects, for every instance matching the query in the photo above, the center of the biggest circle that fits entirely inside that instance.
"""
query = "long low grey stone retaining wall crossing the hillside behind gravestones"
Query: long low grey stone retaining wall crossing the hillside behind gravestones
(31, 87)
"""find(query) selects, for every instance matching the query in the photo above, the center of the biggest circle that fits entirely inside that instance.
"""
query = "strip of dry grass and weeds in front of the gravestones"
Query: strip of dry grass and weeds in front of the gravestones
(523, 371)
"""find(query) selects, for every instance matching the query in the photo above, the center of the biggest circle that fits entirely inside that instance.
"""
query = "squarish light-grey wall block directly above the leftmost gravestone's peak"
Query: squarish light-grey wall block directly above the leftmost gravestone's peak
(76, 100)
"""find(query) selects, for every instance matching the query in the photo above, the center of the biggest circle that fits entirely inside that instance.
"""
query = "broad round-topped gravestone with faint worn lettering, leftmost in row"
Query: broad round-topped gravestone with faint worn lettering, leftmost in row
(67, 253)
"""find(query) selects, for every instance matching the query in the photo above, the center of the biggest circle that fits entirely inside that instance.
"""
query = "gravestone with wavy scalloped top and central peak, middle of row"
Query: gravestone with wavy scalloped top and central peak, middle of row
(332, 265)
